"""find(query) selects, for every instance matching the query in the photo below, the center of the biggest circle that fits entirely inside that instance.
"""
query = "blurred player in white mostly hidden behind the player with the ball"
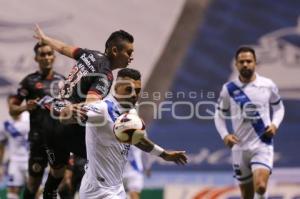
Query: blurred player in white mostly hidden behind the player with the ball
(133, 177)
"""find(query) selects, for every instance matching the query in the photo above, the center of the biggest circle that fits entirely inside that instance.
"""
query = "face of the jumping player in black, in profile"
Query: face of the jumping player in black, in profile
(124, 55)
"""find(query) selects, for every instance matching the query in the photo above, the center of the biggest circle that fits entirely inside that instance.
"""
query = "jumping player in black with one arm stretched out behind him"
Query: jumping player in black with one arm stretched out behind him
(90, 79)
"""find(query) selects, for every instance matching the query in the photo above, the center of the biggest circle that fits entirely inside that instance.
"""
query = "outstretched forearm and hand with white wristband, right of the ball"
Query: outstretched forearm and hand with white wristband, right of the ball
(148, 146)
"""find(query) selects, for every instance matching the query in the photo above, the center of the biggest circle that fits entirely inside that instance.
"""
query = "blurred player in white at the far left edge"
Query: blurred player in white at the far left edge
(15, 132)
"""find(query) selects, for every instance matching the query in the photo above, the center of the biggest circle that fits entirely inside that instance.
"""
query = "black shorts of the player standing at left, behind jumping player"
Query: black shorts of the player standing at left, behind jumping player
(37, 155)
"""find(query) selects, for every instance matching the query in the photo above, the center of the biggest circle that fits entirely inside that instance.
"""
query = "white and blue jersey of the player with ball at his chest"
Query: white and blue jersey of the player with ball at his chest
(106, 155)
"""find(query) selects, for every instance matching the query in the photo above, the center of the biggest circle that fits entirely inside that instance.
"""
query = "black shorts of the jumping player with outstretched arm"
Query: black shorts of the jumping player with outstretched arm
(61, 139)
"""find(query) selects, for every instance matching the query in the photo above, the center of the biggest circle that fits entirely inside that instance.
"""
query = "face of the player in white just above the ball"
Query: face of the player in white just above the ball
(127, 91)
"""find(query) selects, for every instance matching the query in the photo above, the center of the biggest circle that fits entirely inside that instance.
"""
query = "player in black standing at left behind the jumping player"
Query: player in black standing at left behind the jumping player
(34, 86)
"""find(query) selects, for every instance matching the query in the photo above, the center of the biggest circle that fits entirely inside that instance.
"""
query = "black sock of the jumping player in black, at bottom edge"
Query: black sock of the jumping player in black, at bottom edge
(50, 190)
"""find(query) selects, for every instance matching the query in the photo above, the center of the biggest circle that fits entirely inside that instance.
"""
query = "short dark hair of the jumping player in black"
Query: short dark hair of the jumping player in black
(116, 37)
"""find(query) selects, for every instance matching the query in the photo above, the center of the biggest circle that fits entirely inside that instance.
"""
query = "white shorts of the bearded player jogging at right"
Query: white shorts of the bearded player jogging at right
(244, 162)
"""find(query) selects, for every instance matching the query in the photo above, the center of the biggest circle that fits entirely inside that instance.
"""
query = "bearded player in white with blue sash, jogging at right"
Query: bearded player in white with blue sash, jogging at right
(249, 99)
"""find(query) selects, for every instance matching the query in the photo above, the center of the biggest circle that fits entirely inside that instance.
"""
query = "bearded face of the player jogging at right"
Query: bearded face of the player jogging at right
(246, 64)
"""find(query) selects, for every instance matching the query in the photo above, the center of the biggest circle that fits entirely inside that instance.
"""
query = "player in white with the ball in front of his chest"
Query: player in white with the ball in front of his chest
(106, 156)
